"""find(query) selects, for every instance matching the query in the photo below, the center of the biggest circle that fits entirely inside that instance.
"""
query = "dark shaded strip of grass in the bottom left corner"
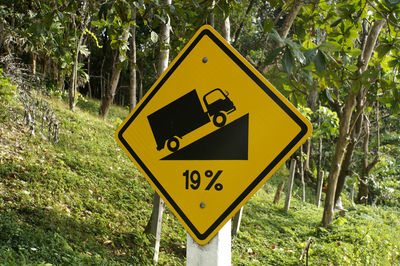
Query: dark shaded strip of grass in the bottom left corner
(45, 235)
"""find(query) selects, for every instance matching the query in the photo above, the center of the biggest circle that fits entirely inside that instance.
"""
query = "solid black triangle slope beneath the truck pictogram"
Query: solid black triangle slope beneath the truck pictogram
(227, 143)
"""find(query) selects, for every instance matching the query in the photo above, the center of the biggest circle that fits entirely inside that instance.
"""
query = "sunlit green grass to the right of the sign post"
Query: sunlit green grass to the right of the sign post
(274, 238)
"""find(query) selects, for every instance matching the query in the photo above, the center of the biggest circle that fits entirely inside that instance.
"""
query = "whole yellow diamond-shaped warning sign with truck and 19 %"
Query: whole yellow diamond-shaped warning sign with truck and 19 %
(209, 133)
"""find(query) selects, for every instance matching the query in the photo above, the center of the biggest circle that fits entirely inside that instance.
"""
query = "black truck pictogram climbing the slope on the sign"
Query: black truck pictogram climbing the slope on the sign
(186, 114)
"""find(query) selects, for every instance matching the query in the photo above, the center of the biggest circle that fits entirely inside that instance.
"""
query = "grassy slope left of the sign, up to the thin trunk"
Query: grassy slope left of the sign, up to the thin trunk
(59, 204)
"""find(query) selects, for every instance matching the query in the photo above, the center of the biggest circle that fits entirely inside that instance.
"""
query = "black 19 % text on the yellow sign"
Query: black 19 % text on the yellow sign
(193, 179)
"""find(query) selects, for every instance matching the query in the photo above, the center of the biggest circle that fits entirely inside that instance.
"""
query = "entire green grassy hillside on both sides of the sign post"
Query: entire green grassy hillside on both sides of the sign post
(81, 201)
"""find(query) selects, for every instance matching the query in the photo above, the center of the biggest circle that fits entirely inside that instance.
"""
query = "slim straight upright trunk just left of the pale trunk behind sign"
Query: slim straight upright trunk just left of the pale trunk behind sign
(132, 65)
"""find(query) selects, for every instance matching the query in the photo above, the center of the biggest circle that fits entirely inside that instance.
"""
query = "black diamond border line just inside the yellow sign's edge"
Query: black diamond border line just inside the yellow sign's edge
(278, 158)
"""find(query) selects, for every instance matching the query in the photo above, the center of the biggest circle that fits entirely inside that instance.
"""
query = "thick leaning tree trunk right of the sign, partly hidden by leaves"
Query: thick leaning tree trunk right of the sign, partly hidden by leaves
(344, 127)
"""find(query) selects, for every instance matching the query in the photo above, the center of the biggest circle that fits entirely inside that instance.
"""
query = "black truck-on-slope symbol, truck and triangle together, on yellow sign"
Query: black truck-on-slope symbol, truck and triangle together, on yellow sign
(184, 115)
